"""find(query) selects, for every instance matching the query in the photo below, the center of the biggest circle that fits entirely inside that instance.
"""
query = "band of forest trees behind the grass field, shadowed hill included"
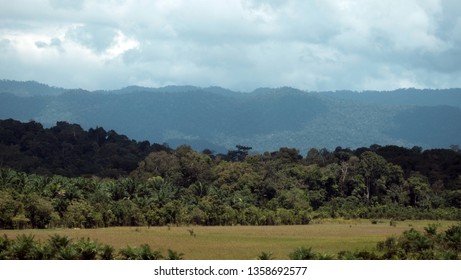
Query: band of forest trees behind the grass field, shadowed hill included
(183, 186)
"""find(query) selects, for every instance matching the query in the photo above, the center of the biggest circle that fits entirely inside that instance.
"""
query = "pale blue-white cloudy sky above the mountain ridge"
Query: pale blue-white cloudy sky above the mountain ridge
(313, 45)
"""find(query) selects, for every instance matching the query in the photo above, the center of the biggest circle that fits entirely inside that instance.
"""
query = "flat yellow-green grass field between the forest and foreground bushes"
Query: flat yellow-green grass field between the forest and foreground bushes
(244, 242)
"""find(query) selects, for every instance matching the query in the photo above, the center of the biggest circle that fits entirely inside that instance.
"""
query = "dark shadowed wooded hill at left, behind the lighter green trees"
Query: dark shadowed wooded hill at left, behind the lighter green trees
(68, 150)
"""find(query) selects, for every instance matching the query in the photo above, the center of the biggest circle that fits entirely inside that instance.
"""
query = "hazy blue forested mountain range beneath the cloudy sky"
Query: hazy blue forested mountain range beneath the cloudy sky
(265, 119)
